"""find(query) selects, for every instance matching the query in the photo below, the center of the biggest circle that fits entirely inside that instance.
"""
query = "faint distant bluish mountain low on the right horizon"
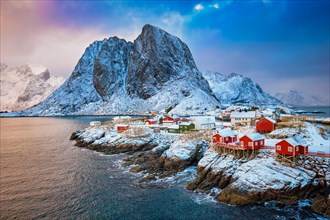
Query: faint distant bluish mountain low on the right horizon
(297, 98)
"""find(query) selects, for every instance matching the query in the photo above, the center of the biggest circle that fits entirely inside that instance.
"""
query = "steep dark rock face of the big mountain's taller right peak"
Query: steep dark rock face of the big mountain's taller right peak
(156, 58)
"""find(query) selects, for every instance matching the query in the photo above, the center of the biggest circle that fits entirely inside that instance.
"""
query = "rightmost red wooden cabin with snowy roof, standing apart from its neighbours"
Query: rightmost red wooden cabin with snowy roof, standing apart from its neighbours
(290, 147)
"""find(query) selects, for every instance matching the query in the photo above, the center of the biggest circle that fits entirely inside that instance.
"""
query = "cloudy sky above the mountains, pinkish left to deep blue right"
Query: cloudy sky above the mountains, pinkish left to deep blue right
(280, 44)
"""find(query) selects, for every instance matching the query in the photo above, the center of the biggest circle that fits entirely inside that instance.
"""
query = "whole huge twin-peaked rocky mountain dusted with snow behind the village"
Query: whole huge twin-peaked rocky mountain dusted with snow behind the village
(156, 72)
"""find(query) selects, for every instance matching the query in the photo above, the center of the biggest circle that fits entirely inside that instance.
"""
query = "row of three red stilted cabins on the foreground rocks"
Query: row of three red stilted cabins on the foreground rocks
(228, 138)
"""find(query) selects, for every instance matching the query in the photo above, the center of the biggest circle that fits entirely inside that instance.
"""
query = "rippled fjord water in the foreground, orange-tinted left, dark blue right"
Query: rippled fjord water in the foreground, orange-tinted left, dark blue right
(44, 176)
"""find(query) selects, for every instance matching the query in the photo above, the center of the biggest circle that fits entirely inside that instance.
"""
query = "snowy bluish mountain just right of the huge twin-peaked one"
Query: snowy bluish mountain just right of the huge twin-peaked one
(235, 89)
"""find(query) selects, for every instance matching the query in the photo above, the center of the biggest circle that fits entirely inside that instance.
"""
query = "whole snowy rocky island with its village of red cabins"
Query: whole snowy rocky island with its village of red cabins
(252, 161)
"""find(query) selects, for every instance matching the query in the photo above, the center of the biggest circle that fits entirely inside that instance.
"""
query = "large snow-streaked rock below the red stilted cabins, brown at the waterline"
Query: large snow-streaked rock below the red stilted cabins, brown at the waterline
(251, 181)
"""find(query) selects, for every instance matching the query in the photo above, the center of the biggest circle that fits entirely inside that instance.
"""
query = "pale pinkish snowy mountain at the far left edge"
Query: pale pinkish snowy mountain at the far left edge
(25, 86)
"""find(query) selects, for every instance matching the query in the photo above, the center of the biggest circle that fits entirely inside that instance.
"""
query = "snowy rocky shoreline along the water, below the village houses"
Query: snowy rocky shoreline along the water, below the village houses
(237, 181)
